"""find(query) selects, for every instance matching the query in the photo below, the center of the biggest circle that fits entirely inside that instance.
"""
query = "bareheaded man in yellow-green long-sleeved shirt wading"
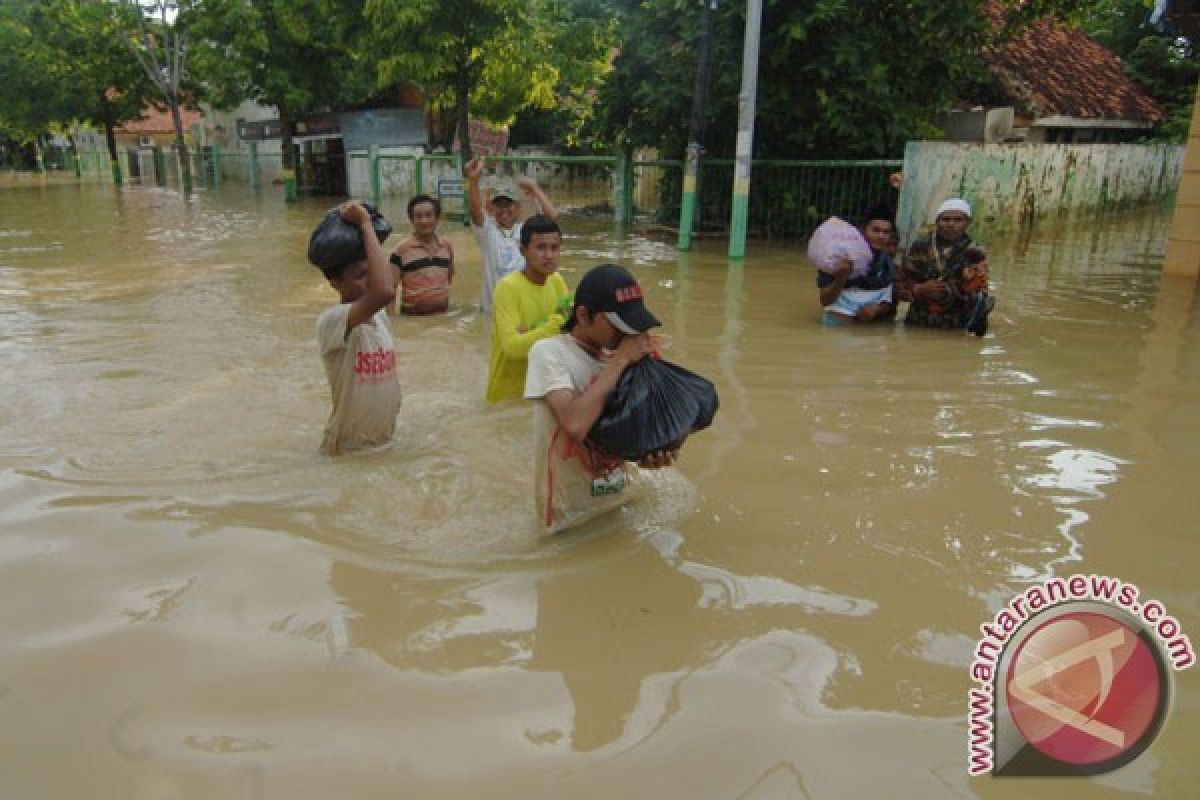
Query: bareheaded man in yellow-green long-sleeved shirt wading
(527, 308)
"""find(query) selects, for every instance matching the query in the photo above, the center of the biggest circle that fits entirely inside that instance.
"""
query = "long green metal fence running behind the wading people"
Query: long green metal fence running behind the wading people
(788, 199)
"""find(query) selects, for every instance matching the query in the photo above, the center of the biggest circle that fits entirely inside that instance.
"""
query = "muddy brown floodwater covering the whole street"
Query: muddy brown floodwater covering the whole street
(194, 604)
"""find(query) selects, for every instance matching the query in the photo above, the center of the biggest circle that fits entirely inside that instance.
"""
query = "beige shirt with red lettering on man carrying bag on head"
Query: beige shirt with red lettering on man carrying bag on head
(362, 371)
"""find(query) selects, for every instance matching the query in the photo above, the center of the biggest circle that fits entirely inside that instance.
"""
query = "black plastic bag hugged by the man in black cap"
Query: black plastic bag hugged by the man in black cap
(653, 407)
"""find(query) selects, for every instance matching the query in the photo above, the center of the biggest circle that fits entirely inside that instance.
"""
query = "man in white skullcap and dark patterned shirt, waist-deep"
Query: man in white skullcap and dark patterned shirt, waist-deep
(945, 276)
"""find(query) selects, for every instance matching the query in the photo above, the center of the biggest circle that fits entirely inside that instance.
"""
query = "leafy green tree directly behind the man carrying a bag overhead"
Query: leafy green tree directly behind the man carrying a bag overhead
(298, 56)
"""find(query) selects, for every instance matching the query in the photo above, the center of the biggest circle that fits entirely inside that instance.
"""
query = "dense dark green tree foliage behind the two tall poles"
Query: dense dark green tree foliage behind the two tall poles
(837, 79)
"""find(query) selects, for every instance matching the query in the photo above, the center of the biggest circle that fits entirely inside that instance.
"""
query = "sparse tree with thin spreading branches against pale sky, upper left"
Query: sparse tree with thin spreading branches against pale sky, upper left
(160, 44)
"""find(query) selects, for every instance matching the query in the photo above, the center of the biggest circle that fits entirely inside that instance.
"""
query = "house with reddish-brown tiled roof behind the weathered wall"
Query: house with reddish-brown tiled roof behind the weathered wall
(1064, 87)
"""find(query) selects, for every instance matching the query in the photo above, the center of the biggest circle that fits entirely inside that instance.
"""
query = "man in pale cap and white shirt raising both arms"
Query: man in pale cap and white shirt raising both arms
(500, 232)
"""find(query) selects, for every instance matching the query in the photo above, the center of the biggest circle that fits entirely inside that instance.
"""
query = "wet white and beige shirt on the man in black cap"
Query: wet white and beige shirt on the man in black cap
(573, 483)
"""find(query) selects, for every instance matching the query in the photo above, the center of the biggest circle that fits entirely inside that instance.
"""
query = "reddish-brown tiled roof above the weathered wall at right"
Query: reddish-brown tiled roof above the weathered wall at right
(1055, 70)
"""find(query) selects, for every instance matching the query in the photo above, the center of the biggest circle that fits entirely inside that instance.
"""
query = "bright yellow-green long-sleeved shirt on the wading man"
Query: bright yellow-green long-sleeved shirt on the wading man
(523, 314)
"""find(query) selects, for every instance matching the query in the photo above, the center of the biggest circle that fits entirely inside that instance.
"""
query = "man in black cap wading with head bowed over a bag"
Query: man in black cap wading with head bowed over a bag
(571, 376)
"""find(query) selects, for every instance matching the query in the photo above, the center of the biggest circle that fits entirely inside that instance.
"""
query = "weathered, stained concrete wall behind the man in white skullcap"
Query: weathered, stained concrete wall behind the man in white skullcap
(1015, 185)
